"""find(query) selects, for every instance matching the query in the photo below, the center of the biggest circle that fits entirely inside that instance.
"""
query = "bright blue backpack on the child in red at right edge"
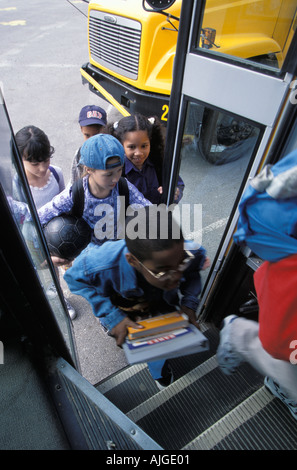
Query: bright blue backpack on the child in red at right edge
(268, 211)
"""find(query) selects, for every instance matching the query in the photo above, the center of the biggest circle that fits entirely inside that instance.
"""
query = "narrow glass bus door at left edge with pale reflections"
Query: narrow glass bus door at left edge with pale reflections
(26, 271)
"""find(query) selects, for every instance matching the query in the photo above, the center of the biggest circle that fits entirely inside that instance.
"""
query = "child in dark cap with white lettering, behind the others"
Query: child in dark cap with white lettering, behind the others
(92, 120)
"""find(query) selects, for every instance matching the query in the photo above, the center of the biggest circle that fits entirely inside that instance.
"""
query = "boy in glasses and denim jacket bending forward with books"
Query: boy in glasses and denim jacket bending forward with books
(149, 273)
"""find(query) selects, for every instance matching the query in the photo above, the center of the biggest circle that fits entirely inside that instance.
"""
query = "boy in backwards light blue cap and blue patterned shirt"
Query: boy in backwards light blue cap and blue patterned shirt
(103, 158)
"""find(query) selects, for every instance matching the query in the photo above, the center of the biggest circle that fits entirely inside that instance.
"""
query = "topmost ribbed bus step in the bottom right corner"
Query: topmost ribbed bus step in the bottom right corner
(261, 422)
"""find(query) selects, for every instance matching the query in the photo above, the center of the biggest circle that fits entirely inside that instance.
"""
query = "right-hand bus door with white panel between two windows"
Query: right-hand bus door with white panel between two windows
(228, 117)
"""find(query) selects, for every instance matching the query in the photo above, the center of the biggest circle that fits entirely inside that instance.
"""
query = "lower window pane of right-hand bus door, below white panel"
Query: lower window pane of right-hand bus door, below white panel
(217, 150)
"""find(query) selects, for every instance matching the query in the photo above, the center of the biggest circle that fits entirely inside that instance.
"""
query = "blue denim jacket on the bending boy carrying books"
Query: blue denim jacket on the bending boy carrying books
(99, 271)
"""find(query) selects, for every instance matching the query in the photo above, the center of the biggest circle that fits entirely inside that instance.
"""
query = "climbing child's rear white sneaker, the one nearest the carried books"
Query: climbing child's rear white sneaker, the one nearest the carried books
(228, 359)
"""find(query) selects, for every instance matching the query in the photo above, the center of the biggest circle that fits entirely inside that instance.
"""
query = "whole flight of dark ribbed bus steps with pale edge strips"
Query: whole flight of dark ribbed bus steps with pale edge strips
(203, 408)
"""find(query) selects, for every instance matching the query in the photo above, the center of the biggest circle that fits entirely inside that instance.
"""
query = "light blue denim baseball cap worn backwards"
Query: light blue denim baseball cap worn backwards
(98, 149)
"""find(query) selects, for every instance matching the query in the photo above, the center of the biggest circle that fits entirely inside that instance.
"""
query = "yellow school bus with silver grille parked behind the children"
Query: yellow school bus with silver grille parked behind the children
(132, 45)
